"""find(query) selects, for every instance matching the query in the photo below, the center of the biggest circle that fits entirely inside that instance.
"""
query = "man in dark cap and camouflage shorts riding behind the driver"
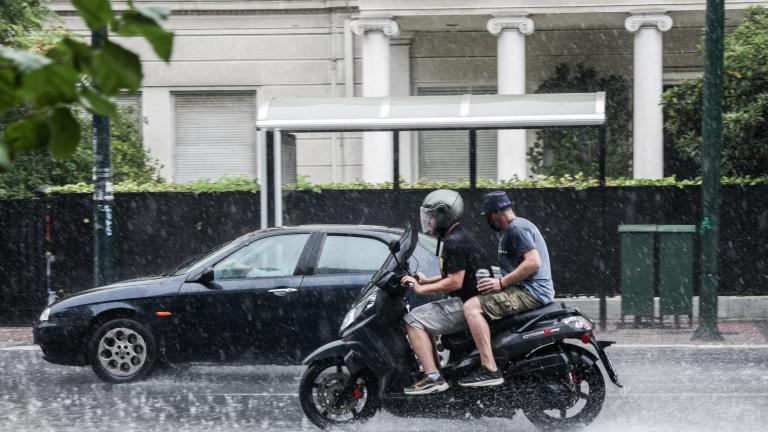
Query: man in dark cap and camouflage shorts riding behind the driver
(526, 283)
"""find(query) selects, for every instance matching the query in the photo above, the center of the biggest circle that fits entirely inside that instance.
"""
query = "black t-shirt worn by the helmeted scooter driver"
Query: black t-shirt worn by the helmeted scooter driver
(462, 252)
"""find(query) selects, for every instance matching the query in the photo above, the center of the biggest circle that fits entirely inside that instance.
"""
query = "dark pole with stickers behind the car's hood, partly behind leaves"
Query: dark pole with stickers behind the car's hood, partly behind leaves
(102, 189)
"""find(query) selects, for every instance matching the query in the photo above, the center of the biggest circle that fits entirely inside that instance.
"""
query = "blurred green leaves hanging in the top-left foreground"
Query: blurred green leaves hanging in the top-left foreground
(39, 92)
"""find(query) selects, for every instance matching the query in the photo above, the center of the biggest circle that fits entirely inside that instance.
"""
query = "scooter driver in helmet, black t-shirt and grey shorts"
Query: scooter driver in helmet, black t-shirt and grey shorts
(460, 259)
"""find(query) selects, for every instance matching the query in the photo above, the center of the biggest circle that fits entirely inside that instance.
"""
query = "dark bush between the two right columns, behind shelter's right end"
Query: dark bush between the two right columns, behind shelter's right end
(562, 151)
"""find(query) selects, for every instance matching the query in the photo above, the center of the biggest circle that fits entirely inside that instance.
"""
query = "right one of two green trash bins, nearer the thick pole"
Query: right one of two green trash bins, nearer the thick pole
(676, 260)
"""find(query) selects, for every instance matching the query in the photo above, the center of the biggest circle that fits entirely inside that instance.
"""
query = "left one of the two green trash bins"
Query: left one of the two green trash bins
(637, 270)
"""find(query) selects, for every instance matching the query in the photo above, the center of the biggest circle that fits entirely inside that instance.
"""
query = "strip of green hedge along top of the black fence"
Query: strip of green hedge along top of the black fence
(540, 182)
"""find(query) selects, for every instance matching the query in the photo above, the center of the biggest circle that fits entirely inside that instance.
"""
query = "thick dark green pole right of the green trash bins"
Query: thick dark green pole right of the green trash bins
(712, 136)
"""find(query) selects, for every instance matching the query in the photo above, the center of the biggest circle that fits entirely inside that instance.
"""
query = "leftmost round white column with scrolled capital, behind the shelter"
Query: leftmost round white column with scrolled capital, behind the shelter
(377, 146)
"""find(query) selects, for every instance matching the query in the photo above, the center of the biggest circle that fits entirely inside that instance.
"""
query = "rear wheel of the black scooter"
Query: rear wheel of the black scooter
(589, 395)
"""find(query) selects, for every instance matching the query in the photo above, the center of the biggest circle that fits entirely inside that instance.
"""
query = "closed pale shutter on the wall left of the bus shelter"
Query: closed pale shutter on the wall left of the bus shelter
(215, 135)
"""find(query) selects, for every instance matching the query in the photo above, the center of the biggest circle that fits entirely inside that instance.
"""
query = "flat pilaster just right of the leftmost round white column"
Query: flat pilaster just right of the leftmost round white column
(400, 85)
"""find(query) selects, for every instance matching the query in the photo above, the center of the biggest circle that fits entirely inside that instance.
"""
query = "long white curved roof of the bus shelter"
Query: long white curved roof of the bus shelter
(527, 111)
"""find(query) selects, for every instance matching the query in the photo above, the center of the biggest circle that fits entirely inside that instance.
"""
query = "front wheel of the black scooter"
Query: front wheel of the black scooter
(320, 394)
